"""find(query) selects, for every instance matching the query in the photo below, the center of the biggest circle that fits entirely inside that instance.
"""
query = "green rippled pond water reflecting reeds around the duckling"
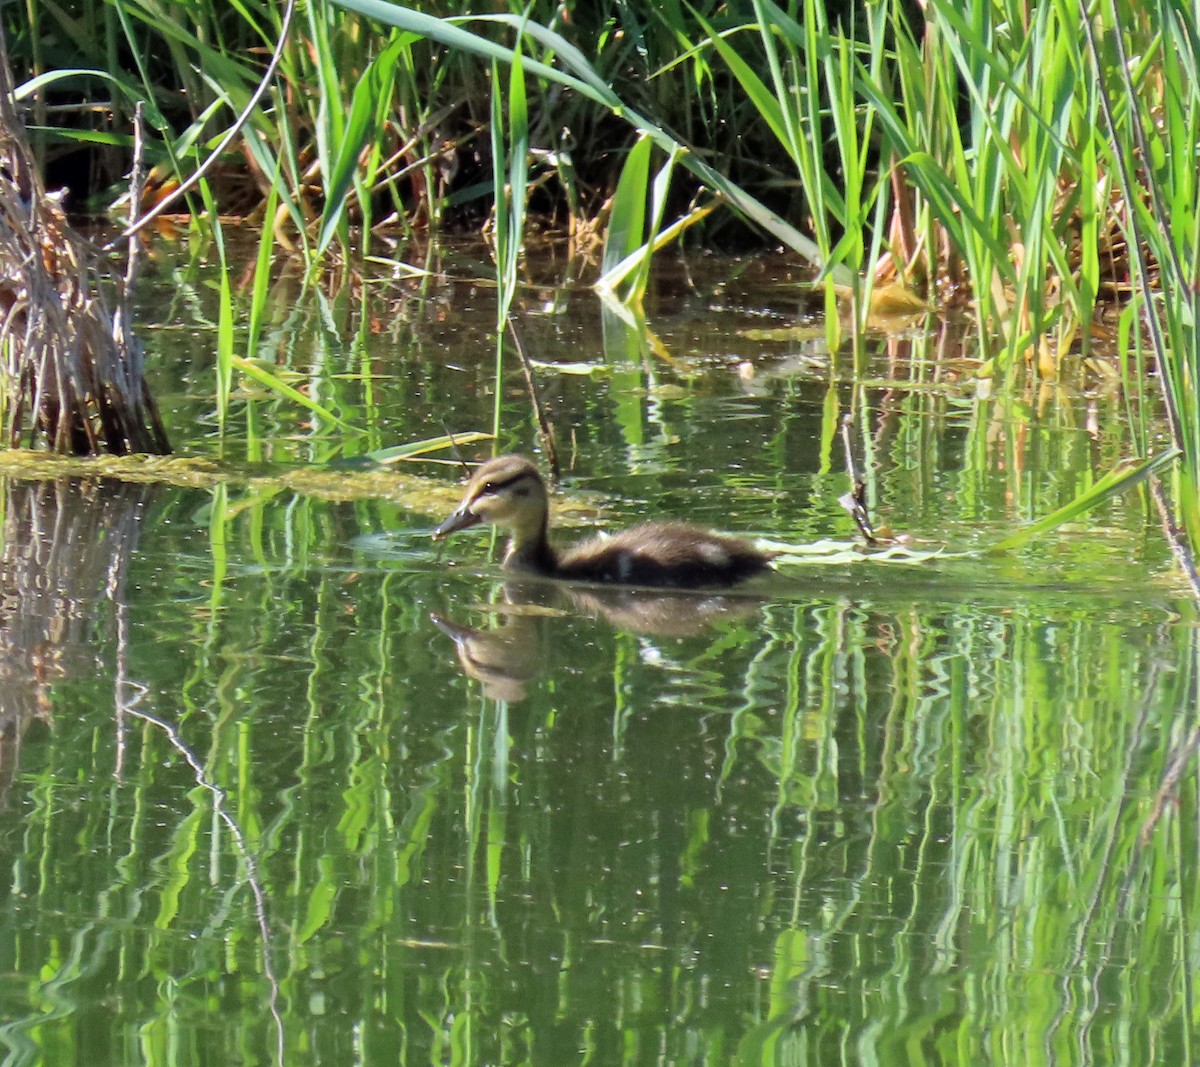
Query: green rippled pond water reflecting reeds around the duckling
(259, 810)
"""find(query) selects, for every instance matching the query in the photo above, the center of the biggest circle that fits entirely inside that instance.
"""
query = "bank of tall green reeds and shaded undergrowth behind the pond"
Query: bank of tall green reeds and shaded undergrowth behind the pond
(1030, 163)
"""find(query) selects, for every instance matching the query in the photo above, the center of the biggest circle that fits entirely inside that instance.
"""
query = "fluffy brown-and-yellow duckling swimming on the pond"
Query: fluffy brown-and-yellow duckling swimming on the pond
(509, 493)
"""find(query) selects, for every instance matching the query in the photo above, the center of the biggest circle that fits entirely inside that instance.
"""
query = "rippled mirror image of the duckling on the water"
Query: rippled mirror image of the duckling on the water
(511, 656)
